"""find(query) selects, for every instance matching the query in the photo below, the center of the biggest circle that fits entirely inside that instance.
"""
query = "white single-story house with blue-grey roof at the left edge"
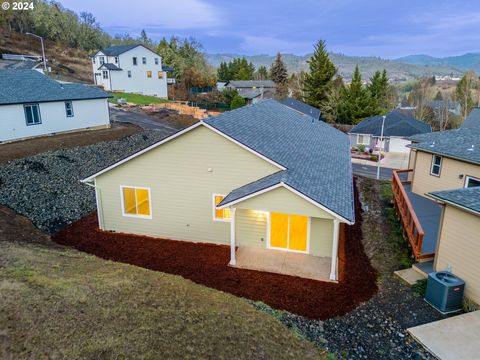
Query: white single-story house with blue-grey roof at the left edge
(32, 104)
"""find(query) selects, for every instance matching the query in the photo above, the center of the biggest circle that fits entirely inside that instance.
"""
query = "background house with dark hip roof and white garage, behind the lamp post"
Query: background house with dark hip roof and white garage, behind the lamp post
(398, 128)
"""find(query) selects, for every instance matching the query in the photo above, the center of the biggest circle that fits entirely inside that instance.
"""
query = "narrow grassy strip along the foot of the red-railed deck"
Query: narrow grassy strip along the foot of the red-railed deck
(395, 237)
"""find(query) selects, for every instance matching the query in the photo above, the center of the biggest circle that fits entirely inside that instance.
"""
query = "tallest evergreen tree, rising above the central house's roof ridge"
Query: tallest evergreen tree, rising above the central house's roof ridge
(317, 81)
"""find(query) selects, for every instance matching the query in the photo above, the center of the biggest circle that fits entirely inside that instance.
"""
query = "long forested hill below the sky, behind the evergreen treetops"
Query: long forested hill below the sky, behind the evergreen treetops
(397, 70)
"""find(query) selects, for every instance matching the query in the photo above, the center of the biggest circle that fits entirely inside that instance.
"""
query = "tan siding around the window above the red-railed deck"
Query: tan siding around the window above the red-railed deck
(449, 177)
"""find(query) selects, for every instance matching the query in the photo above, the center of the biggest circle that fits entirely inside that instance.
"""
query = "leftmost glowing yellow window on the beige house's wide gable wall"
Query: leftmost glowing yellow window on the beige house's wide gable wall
(136, 201)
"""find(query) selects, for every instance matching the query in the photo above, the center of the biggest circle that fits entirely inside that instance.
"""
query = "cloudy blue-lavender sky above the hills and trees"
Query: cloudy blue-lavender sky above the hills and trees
(384, 28)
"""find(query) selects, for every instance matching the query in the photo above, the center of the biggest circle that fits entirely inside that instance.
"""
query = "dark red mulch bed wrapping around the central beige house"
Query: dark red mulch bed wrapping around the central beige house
(206, 264)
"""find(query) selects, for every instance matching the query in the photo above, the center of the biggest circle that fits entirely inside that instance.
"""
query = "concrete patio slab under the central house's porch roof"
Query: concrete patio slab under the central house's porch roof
(284, 262)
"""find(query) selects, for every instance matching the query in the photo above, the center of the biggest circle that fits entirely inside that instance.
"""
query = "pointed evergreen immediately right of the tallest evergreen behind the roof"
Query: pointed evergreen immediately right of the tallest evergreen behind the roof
(356, 102)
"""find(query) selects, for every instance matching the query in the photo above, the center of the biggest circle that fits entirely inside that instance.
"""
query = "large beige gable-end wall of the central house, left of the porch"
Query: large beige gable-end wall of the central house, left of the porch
(181, 184)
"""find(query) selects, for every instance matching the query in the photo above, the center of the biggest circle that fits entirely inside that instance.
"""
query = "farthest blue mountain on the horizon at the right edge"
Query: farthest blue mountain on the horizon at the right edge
(469, 61)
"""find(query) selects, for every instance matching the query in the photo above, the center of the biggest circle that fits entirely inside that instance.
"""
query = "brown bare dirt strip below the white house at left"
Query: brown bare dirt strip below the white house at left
(29, 147)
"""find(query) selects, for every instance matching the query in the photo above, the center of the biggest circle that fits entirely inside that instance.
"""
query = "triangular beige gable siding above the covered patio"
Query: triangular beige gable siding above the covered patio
(284, 201)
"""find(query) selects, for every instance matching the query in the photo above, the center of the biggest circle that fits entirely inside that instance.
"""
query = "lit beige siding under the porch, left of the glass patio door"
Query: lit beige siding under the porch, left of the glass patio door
(251, 228)
